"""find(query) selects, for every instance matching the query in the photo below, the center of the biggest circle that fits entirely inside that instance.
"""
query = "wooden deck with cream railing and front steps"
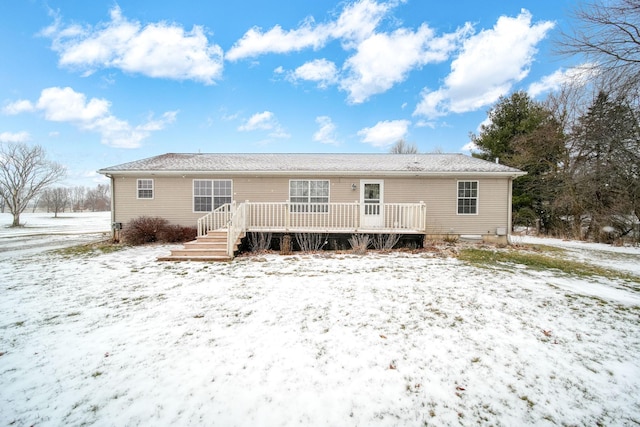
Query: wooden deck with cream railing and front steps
(220, 232)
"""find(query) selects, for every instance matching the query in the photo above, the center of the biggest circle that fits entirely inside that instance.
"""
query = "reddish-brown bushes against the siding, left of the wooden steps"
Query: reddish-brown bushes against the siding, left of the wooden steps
(146, 229)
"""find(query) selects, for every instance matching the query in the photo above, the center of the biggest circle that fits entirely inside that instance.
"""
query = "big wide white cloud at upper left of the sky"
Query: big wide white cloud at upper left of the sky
(156, 50)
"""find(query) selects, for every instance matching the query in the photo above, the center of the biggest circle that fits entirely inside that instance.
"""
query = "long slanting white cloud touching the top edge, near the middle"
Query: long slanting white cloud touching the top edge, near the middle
(356, 21)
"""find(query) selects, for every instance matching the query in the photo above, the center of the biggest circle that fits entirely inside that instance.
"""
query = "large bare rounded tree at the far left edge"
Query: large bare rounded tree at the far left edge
(24, 173)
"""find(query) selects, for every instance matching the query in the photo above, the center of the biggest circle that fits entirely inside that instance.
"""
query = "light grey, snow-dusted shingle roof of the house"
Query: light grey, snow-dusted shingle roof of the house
(322, 163)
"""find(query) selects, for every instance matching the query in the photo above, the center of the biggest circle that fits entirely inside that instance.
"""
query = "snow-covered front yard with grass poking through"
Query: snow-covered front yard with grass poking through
(322, 340)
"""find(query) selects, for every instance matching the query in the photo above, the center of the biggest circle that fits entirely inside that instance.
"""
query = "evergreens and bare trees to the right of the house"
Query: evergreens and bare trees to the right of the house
(580, 146)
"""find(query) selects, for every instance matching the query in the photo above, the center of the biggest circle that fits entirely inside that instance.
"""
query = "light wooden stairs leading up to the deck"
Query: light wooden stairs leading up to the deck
(211, 247)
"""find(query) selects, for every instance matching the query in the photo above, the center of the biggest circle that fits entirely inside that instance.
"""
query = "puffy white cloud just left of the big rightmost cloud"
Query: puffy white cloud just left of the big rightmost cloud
(382, 60)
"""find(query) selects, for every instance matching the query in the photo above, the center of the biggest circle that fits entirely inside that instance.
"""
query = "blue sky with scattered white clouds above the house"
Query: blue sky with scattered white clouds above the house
(98, 83)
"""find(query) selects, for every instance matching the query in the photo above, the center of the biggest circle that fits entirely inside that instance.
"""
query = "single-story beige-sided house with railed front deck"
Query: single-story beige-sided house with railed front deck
(431, 195)
